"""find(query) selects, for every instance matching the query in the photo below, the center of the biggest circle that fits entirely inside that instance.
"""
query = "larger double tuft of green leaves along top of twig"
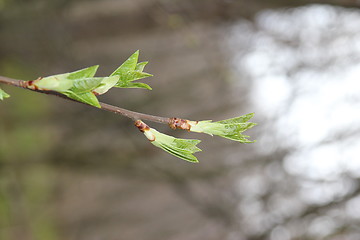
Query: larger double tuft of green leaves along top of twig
(83, 86)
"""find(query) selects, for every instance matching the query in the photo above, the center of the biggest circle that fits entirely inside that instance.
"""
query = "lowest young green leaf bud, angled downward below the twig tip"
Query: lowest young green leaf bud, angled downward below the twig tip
(181, 148)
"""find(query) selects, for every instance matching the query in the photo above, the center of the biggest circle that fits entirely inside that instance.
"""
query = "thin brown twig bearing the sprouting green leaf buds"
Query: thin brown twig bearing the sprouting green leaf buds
(127, 113)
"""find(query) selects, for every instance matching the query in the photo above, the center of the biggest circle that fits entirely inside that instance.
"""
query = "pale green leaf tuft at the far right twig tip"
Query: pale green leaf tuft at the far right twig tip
(230, 128)
